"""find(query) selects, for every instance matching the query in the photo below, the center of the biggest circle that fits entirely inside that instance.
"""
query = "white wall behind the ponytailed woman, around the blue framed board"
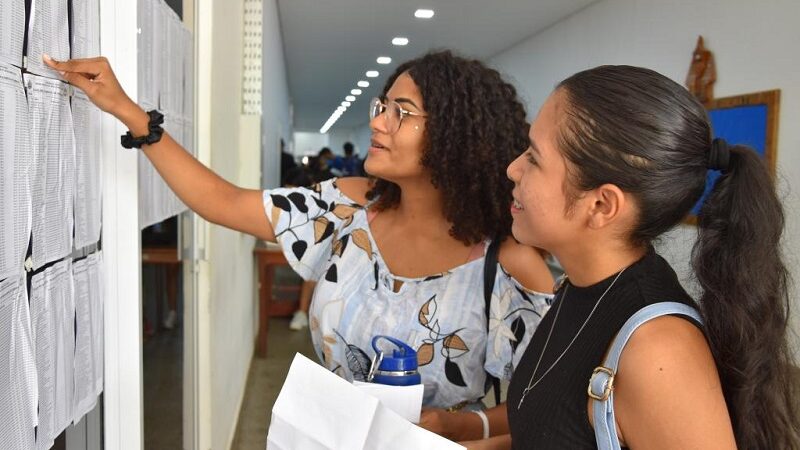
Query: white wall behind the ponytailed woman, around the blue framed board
(753, 43)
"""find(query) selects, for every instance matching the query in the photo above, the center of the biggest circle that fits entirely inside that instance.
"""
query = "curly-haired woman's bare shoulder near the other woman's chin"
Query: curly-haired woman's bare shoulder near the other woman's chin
(526, 265)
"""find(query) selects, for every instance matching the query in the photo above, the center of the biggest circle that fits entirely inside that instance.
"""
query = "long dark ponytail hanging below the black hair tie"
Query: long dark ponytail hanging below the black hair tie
(737, 261)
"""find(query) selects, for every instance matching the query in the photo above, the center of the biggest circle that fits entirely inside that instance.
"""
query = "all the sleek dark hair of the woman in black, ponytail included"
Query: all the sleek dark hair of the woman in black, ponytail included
(637, 129)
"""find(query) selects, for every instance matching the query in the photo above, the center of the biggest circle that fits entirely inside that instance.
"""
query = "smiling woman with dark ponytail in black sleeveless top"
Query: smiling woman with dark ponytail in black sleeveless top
(618, 156)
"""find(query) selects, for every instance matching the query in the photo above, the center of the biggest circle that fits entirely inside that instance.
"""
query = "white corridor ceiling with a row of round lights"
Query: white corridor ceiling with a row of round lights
(330, 44)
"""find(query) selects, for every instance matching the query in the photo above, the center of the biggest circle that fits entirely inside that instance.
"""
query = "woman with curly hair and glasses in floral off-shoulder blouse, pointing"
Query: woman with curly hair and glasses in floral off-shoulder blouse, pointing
(401, 253)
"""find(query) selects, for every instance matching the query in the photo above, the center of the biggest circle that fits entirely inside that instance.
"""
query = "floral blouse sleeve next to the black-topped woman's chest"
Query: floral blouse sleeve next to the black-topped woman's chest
(514, 314)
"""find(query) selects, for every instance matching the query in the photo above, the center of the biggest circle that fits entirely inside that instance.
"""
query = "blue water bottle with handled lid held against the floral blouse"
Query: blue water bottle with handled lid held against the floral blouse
(397, 369)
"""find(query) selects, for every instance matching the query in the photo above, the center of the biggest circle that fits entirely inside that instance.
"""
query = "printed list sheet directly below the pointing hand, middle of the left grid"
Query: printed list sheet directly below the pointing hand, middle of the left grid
(53, 171)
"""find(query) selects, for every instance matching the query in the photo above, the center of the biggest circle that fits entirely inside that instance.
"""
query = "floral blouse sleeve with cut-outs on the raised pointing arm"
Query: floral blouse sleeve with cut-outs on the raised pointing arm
(306, 221)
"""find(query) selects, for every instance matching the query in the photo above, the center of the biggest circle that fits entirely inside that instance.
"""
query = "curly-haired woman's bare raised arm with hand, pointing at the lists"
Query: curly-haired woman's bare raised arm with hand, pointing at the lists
(205, 192)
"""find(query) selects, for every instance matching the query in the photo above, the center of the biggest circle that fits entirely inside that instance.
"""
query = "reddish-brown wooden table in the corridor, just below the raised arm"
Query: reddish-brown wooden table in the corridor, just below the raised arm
(267, 258)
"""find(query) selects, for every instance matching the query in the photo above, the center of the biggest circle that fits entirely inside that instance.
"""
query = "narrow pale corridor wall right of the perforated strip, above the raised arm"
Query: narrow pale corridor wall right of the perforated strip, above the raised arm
(276, 122)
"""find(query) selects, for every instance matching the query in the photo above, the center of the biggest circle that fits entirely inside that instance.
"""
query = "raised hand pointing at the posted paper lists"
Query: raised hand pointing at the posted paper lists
(95, 77)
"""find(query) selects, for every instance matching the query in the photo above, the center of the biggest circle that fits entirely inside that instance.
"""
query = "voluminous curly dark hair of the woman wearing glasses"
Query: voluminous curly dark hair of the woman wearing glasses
(475, 127)
